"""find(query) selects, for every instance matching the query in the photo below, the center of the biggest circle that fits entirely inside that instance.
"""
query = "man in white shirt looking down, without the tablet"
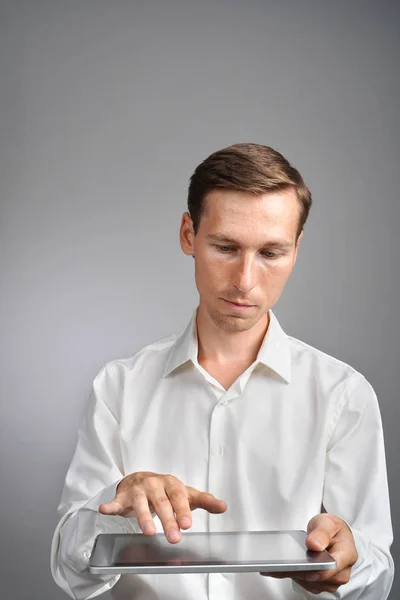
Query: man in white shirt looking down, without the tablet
(254, 428)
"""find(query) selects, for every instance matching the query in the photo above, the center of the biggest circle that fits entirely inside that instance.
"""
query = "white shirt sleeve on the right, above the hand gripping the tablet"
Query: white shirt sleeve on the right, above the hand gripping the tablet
(356, 489)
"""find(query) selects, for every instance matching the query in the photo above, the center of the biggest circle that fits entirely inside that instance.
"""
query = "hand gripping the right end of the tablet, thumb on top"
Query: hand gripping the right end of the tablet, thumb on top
(326, 532)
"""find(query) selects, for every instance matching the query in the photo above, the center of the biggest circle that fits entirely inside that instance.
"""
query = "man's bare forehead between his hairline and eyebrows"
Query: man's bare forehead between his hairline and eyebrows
(246, 217)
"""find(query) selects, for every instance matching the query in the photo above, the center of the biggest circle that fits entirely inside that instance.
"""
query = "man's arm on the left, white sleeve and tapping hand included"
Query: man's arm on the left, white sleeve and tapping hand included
(98, 498)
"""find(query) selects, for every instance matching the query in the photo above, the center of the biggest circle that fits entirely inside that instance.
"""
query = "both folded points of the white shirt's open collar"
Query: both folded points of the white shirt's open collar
(274, 352)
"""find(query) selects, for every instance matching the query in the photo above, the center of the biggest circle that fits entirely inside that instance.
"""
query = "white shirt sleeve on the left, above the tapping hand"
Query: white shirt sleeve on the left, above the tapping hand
(94, 473)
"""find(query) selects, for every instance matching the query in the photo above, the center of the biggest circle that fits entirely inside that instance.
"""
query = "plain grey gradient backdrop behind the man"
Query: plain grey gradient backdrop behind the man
(106, 109)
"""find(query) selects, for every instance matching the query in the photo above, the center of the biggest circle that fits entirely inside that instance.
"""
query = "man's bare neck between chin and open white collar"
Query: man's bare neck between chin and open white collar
(227, 347)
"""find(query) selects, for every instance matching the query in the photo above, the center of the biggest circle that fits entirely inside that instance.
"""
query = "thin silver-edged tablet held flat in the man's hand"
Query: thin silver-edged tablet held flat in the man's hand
(262, 551)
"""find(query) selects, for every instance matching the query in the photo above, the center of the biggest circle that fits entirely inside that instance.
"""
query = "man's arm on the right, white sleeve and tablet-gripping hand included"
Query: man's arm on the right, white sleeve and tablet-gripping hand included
(356, 528)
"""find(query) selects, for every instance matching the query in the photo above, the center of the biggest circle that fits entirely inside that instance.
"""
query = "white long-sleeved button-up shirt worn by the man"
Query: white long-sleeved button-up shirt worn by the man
(299, 432)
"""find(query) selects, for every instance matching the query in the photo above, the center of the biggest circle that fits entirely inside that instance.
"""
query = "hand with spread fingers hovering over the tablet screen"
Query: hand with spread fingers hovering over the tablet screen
(140, 494)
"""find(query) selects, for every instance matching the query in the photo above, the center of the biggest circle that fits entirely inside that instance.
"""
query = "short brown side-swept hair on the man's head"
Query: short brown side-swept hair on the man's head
(250, 168)
